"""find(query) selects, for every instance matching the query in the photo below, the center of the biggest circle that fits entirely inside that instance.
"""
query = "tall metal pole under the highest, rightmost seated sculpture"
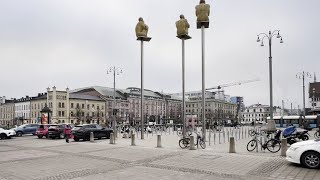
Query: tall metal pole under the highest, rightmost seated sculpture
(203, 84)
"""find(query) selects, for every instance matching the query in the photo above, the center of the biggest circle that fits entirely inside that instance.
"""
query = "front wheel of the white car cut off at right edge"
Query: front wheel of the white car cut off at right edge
(311, 159)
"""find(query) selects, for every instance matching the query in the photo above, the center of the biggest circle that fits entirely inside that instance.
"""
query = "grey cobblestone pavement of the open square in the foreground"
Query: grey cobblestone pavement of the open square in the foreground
(45, 159)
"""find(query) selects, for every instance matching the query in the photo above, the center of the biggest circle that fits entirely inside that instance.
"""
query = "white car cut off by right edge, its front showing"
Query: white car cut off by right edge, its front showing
(306, 153)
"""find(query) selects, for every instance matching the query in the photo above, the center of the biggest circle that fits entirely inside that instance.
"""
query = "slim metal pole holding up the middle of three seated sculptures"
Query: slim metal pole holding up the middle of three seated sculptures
(183, 91)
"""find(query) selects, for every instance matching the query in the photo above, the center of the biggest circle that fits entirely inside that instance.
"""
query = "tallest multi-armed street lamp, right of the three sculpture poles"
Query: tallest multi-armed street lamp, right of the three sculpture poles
(269, 36)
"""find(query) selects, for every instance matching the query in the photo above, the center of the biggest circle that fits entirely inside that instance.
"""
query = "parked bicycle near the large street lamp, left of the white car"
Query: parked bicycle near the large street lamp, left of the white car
(273, 145)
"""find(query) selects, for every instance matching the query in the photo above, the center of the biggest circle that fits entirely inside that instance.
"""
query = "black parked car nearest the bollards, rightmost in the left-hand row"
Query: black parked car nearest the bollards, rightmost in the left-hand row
(83, 132)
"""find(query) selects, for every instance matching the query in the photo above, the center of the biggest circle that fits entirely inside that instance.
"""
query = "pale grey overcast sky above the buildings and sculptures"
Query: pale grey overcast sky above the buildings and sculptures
(72, 43)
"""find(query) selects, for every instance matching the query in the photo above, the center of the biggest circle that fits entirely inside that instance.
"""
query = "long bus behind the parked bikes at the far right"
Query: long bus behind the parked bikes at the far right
(285, 121)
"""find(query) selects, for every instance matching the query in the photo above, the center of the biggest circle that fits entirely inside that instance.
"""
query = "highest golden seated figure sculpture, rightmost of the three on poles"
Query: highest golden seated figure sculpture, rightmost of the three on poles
(202, 13)
